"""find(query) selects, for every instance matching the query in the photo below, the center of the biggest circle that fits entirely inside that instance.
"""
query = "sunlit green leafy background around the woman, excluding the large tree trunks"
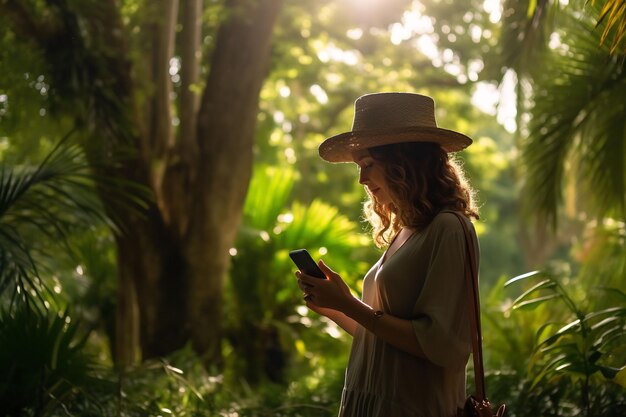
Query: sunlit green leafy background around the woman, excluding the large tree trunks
(550, 176)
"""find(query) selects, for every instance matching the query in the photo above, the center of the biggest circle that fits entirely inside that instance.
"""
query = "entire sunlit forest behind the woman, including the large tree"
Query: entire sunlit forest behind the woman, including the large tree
(159, 160)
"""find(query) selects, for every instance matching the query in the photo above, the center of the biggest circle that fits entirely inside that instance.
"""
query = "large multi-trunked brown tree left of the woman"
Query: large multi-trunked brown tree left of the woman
(113, 68)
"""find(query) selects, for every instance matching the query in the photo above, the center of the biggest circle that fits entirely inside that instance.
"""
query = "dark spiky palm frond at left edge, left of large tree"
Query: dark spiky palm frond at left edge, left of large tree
(40, 205)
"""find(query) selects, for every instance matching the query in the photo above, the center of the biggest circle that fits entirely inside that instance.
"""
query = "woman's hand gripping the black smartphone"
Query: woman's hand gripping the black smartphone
(330, 293)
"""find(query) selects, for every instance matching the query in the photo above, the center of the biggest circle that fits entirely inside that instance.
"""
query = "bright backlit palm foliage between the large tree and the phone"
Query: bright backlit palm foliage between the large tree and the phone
(262, 292)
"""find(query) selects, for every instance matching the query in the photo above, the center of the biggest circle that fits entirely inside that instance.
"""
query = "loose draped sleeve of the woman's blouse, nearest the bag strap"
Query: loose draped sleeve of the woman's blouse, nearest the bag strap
(441, 321)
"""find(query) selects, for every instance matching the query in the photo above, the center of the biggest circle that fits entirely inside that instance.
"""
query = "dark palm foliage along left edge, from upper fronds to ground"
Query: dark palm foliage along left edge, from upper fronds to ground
(44, 362)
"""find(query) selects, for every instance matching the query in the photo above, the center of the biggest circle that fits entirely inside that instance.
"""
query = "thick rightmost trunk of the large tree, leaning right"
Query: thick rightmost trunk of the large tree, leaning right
(226, 125)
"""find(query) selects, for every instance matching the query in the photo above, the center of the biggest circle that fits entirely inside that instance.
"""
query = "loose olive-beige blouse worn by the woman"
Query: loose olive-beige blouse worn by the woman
(423, 281)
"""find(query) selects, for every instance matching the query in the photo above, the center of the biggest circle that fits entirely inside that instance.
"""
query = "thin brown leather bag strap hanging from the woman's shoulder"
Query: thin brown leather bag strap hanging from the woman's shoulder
(471, 279)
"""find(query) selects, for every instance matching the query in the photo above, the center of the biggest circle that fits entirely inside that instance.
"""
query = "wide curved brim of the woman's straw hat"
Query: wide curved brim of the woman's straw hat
(339, 148)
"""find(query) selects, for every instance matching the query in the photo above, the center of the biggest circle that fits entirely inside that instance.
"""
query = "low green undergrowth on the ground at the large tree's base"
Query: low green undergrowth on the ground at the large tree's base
(180, 385)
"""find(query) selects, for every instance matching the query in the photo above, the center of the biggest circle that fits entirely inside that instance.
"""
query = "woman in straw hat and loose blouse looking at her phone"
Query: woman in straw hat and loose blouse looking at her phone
(411, 328)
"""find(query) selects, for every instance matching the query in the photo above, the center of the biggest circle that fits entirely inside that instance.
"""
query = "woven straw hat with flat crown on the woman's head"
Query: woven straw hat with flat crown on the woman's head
(386, 118)
